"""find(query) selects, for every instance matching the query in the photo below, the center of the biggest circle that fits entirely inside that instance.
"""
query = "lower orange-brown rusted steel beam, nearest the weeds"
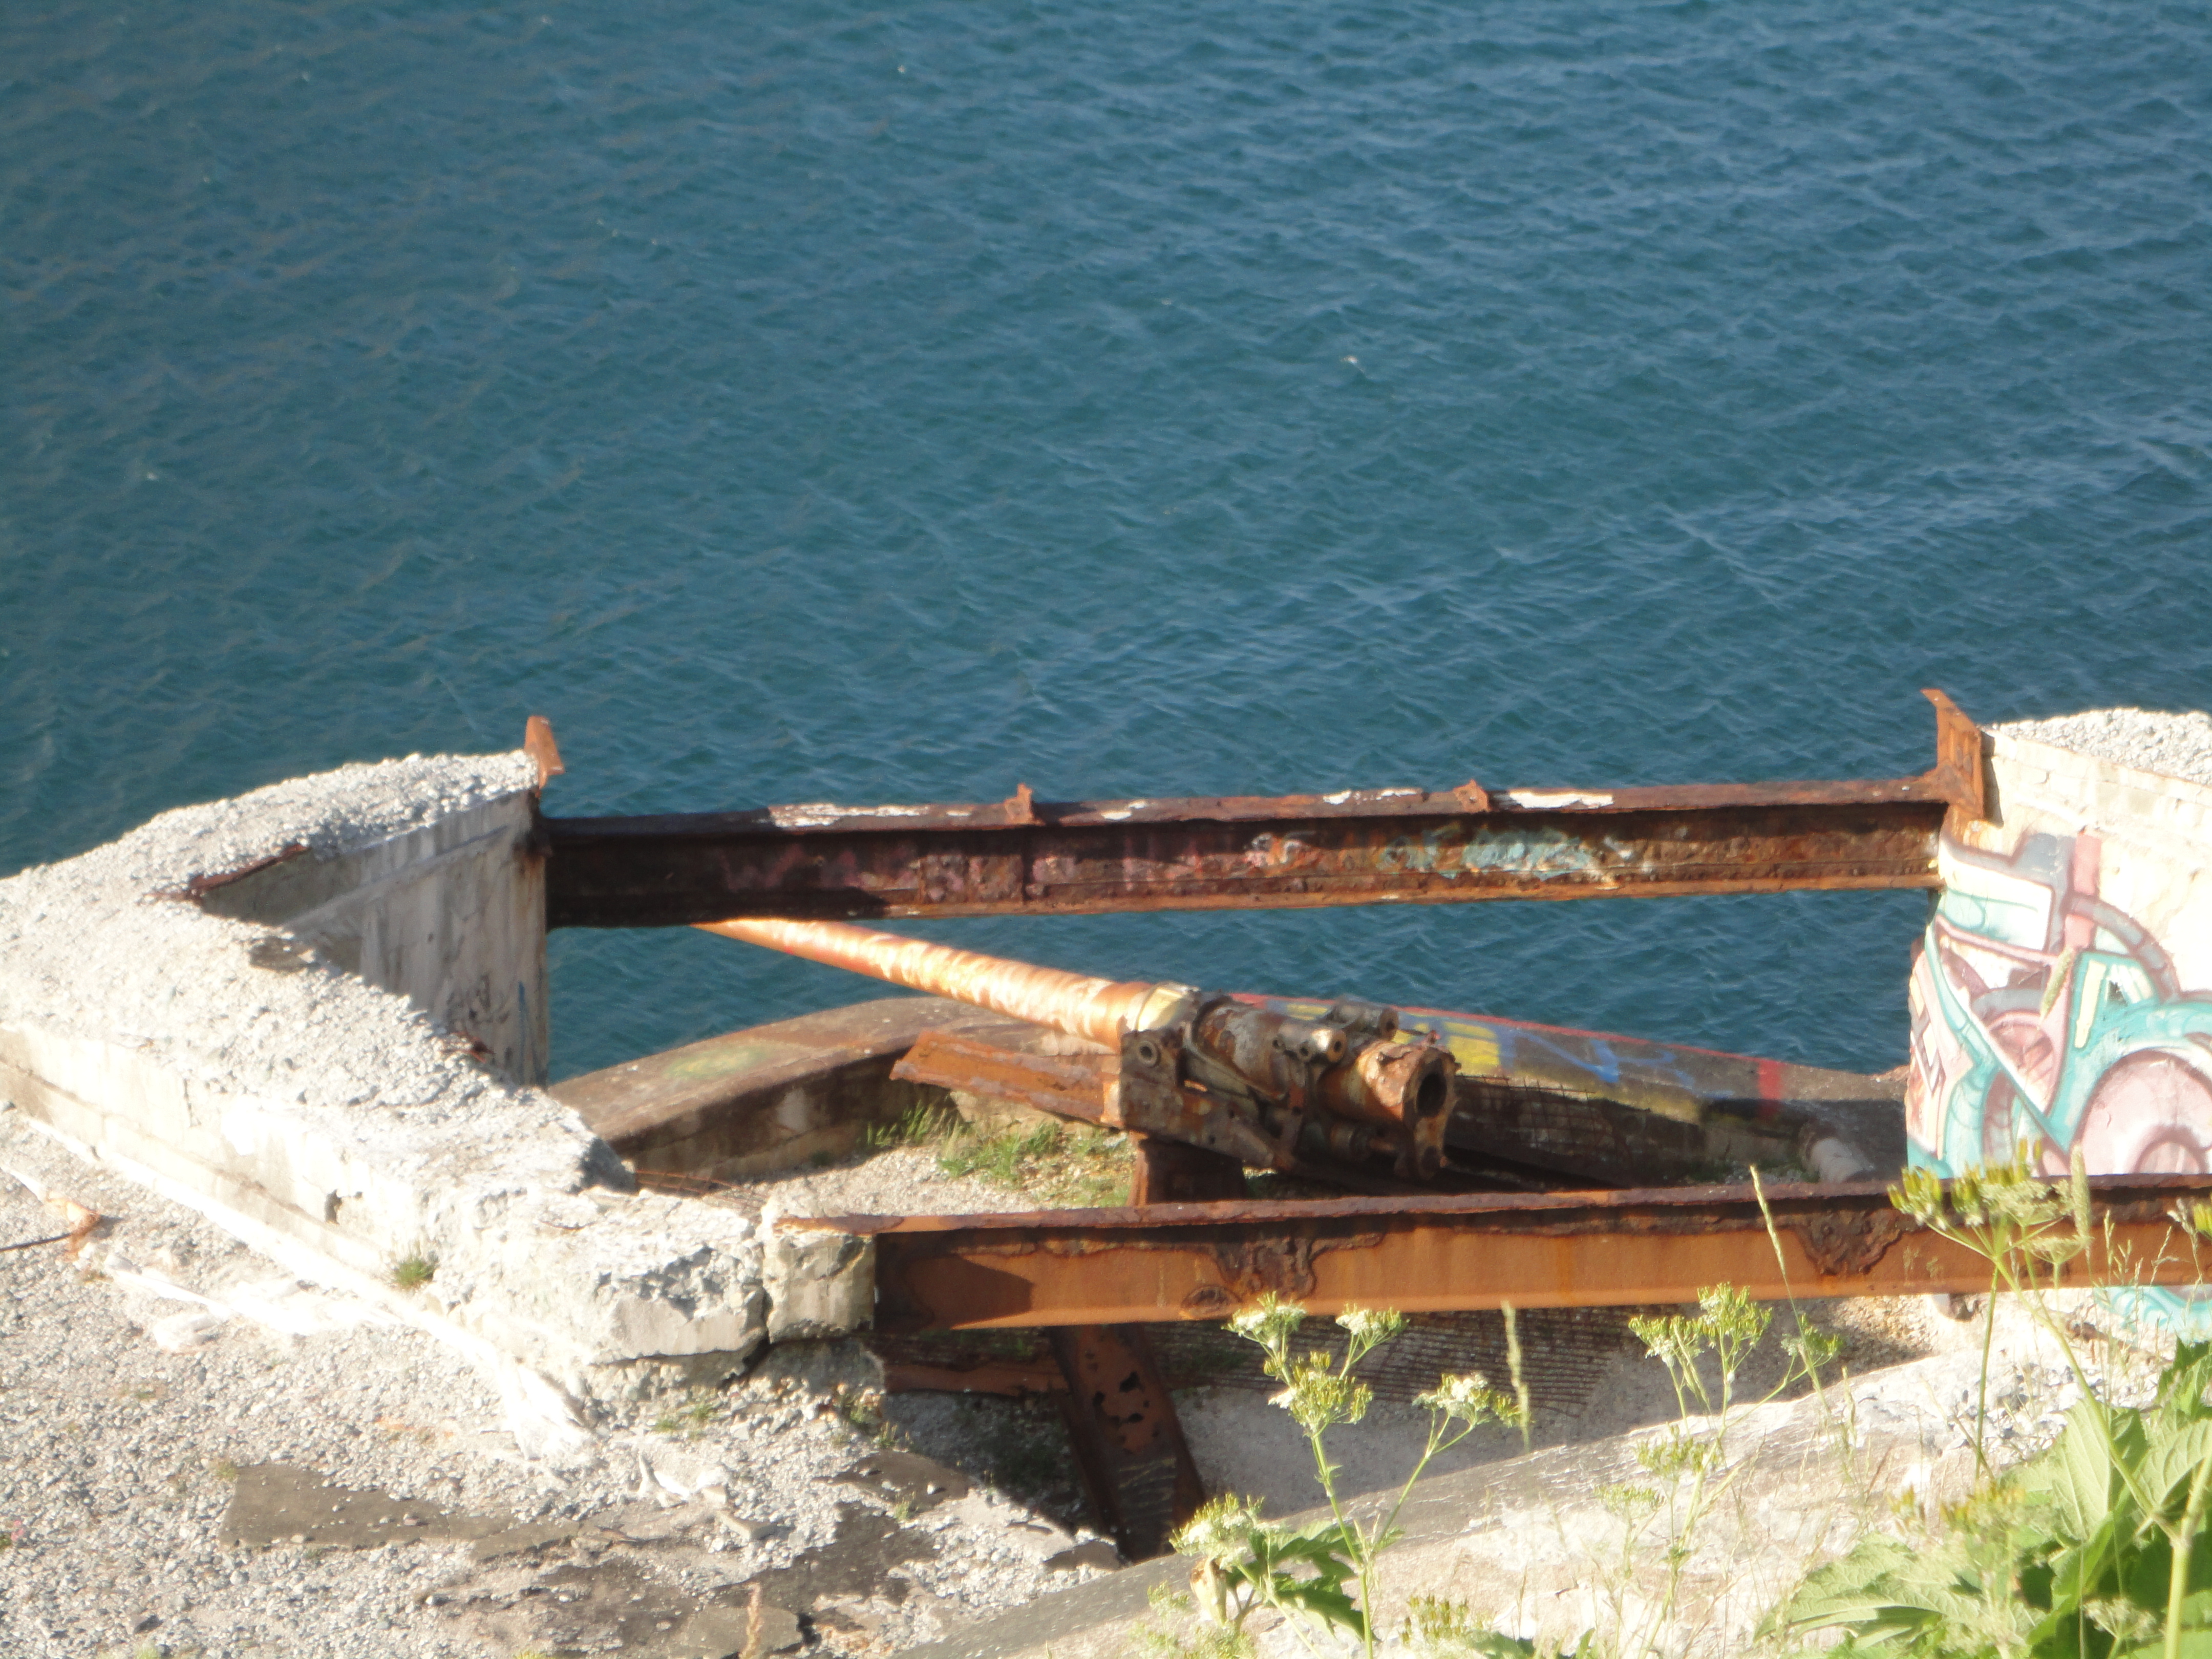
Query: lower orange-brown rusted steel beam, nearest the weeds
(1459, 1253)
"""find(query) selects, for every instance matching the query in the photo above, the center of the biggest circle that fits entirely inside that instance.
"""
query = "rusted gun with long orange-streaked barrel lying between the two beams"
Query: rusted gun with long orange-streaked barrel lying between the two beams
(1213, 1072)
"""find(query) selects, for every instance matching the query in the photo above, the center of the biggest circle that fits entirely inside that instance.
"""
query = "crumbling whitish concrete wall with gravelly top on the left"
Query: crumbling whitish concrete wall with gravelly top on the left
(207, 1032)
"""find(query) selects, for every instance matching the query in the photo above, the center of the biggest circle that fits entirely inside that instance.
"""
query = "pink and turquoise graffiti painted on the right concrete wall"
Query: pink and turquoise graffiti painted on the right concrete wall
(2052, 1019)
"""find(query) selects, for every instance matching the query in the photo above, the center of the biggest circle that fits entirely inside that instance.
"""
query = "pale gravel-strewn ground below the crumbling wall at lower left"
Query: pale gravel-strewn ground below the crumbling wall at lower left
(116, 1465)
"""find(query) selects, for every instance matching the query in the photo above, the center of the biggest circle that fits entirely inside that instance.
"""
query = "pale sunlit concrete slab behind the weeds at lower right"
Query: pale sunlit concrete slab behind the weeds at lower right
(1536, 1543)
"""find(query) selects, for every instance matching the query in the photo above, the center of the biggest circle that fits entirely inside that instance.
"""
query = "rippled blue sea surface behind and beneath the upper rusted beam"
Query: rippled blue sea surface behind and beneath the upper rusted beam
(820, 401)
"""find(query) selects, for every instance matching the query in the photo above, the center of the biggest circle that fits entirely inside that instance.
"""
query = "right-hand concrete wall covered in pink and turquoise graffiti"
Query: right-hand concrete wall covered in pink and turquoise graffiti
(2063, 992)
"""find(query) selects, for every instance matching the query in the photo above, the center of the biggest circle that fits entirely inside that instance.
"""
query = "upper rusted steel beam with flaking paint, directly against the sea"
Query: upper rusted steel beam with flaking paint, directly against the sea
(1027, 857)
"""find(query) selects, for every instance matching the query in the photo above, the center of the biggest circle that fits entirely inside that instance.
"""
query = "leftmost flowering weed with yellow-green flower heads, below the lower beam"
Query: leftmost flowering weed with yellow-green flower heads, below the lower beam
(1326, 1574)
